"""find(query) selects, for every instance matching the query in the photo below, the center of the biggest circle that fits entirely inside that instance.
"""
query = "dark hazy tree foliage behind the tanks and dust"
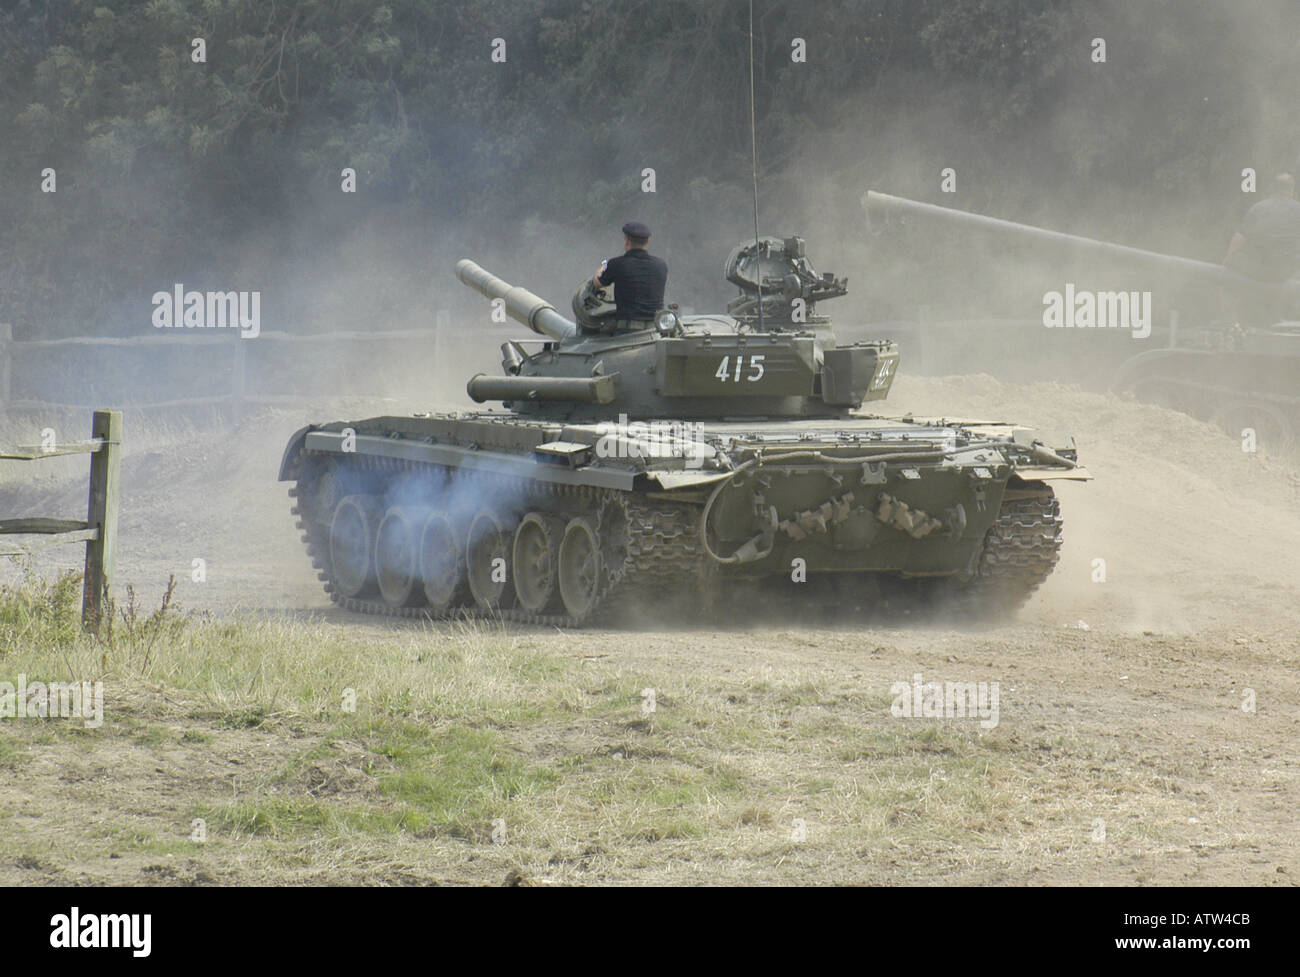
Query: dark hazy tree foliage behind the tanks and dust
(172, 171)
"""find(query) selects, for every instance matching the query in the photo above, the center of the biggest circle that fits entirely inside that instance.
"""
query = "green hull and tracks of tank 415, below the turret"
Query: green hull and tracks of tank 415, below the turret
(564, 524)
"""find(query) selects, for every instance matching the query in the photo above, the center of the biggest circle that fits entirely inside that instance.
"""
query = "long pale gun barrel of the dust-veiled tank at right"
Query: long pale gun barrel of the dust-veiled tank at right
(883, 206)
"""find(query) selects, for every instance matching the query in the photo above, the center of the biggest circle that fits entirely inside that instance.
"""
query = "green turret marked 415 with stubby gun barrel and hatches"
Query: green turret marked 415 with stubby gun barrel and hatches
(770, 355)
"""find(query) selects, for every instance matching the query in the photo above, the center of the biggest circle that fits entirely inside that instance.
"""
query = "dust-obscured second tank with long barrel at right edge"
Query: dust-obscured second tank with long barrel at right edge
(1240, 374)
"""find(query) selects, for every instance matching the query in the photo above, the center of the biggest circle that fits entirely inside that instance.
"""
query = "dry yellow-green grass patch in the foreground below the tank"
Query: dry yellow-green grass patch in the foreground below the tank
(475, 753)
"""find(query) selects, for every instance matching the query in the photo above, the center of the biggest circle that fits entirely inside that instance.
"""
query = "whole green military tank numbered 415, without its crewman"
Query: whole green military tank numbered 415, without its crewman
(704, 454)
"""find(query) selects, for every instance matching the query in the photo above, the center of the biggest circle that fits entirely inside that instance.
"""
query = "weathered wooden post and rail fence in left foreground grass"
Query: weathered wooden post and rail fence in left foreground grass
(99, 529)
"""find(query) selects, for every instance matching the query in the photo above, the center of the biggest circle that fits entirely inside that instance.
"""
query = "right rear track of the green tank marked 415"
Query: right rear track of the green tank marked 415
(1021, 550)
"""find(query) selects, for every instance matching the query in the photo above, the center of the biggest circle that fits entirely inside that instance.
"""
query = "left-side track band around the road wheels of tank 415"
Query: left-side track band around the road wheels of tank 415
(657, 545)
